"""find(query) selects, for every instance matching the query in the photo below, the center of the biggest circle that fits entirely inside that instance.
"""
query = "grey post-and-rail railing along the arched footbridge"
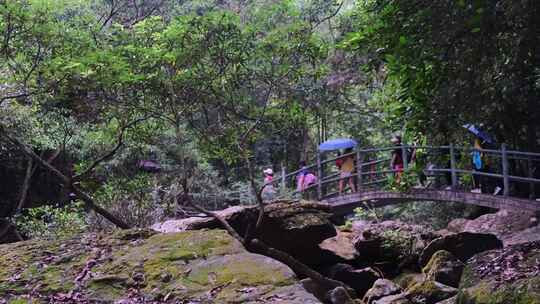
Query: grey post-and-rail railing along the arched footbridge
(372, 170)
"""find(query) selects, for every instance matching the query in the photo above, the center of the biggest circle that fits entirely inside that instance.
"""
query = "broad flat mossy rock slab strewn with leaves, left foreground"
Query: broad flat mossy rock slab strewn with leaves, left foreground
(206, 266)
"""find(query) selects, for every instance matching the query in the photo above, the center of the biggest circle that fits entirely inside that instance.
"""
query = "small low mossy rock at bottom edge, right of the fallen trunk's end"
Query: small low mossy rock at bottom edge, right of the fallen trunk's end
(430, 292)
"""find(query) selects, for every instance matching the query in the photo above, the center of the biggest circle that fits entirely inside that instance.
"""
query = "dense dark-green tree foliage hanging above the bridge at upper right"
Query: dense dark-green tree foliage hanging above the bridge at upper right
(456, 62)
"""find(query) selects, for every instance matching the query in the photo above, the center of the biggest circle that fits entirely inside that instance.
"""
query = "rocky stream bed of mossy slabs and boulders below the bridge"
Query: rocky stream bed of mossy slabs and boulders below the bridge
(194, 261)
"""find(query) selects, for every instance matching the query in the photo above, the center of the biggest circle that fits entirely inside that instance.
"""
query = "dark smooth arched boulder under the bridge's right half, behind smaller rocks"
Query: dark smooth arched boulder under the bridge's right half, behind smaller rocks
(462, 245)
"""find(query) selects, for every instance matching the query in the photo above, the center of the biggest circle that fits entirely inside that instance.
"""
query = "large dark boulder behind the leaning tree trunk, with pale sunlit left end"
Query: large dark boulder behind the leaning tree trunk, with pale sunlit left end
(296, 228)
